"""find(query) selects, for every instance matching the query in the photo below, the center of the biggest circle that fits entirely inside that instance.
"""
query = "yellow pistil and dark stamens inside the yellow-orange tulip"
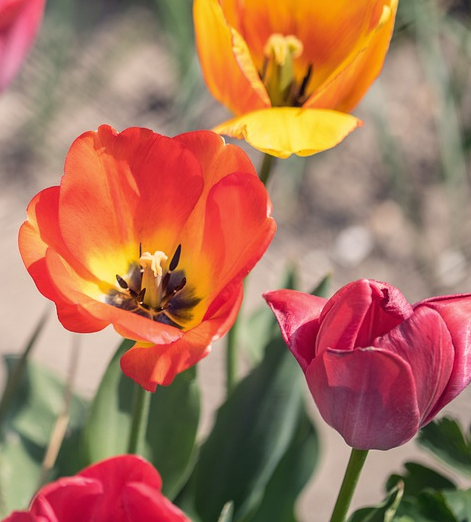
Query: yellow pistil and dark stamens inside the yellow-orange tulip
(278, 70)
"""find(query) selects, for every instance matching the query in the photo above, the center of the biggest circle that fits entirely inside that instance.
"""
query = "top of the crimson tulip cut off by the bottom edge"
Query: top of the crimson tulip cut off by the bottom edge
(121, 489)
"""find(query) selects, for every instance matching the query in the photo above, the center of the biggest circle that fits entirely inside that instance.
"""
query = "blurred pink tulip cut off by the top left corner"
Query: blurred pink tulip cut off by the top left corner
(19, 23)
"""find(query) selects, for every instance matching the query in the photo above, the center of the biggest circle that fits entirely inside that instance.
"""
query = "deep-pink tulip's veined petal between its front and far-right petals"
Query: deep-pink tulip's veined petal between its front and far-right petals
(425, 343)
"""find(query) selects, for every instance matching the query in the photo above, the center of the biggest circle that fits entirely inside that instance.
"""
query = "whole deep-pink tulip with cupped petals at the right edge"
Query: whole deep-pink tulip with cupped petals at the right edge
(377, 367)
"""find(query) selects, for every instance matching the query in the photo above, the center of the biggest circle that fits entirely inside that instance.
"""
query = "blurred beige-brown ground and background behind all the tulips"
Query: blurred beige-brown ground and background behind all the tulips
(392, 202)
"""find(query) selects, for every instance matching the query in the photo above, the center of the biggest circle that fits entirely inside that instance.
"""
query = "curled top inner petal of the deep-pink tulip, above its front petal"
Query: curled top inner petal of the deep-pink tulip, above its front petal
(358, 313)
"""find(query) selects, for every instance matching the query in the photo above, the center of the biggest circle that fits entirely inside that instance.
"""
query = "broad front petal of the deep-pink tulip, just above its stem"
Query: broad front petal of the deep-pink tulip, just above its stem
(368, 395)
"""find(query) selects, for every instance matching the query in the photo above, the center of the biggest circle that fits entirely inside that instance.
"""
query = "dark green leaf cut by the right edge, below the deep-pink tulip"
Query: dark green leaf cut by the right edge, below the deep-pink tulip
(445, 439)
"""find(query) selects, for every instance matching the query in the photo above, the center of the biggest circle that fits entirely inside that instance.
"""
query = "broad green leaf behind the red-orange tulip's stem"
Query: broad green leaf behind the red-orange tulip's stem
(171, 429)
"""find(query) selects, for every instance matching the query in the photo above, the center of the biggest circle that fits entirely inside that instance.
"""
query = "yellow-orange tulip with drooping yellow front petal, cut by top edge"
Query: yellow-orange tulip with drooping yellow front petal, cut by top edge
(291, 70)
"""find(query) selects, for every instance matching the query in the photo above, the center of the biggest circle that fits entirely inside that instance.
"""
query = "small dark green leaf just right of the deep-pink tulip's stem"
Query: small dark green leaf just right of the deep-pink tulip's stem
(418, 478)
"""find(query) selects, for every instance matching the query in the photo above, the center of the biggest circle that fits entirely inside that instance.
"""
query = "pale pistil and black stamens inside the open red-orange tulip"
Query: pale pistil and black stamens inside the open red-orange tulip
(154, 290)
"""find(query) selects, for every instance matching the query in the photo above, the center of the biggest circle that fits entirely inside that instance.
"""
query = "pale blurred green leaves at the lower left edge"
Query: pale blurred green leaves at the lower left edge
(29, 420)
